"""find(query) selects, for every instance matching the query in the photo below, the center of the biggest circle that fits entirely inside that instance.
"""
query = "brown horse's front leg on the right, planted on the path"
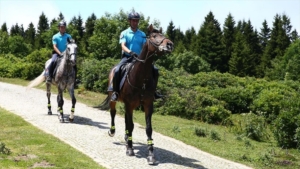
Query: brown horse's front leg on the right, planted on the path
(148, 116)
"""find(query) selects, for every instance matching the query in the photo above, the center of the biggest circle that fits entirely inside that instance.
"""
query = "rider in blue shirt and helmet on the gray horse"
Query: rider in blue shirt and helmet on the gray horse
(59, 42)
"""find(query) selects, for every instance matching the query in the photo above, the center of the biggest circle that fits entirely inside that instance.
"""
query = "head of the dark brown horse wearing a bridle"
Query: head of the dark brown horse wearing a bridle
(160, 44)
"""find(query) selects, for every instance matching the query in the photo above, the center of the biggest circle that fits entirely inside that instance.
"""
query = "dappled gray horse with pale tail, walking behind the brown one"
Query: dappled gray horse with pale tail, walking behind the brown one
(64, 79)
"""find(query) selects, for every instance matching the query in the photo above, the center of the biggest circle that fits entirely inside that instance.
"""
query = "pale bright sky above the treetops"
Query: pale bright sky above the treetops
(183, 13)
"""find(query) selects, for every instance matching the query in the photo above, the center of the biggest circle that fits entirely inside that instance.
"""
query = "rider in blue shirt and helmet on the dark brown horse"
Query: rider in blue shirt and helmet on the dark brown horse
(132, 40)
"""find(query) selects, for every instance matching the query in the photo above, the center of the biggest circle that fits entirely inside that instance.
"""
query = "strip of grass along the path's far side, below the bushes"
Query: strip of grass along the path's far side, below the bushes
(218, 140)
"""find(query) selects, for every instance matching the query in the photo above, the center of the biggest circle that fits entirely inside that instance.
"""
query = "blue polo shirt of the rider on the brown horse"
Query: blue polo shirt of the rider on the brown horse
(134, 41)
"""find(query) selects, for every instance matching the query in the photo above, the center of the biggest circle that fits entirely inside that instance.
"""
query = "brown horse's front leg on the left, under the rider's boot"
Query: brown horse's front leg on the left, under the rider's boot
(129, 127)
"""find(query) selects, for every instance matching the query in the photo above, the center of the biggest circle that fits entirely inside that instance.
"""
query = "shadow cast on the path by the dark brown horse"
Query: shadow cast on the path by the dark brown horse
(164, 156)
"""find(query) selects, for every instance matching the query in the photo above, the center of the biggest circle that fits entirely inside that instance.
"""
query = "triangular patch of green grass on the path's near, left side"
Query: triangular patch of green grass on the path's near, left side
(23, 146)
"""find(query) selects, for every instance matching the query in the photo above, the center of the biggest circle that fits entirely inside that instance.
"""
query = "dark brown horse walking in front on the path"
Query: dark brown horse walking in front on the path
(138, 89)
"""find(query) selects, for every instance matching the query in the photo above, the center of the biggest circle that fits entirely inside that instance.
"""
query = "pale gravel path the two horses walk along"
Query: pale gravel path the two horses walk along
(89, 135)
